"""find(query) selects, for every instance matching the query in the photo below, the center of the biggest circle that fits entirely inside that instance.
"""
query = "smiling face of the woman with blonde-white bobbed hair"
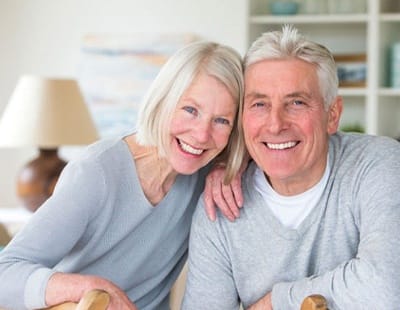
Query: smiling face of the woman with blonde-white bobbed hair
(201, 124)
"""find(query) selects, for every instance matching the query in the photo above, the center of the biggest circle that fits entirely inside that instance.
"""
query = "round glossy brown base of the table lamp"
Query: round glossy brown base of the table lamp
(37, 179)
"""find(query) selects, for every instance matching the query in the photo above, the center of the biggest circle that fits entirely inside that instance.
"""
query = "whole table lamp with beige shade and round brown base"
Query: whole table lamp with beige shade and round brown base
(46, 113)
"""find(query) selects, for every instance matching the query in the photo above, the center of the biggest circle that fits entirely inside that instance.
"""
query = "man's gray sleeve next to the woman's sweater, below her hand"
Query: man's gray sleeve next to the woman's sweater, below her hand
(210, 283)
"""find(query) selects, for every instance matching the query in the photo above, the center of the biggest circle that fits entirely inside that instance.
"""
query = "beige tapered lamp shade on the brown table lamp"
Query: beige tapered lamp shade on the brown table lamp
(46, 113)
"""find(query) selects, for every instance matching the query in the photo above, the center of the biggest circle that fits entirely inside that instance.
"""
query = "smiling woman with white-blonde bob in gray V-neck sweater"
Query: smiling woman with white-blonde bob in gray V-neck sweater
(120, 215)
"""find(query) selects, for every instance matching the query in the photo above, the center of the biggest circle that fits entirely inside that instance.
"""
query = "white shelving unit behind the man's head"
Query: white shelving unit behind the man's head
(371, 31)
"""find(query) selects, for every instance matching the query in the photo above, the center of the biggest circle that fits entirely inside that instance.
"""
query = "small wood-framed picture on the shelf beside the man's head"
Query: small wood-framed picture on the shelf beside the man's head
(351, 69)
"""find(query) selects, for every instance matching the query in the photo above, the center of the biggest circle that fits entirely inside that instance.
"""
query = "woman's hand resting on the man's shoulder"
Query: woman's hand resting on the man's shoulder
(228, 198)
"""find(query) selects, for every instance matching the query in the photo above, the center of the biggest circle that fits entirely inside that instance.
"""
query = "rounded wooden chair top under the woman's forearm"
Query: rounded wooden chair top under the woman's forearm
(92, 300)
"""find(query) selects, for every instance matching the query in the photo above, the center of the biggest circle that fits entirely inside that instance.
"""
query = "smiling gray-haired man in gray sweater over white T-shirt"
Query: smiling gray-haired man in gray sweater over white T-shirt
(321, 211)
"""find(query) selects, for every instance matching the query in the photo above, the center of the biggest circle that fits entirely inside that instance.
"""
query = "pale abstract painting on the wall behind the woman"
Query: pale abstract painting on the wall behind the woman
(115, 71)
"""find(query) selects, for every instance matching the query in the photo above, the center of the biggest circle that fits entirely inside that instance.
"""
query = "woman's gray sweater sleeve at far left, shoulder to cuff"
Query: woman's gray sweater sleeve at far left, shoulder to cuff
(26, 264)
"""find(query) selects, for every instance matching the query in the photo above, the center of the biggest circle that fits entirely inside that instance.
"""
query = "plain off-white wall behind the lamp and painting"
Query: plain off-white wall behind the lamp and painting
(43, 37)
